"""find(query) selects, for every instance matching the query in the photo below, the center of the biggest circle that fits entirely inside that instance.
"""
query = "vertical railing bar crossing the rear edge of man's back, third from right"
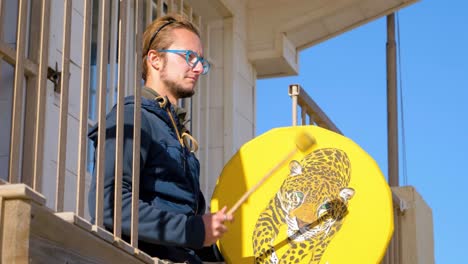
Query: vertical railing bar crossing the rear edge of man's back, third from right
(102, 86)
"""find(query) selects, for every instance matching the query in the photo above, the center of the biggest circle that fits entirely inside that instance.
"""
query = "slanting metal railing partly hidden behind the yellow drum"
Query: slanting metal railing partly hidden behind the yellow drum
(310, 110)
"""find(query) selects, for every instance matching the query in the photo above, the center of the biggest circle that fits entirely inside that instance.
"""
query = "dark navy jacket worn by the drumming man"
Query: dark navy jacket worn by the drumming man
(171, 203)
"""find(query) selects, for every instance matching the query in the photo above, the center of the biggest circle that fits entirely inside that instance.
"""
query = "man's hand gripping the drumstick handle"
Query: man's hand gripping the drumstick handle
(214, 225)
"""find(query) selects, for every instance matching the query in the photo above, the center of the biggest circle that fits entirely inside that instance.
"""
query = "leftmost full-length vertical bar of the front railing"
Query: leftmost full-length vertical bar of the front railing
(18, 88)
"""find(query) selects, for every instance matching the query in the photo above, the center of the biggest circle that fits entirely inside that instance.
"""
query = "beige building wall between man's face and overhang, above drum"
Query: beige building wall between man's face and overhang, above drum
(226, 95)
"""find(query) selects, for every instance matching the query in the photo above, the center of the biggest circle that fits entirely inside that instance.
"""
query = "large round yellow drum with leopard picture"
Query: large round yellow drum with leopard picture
(329, 204)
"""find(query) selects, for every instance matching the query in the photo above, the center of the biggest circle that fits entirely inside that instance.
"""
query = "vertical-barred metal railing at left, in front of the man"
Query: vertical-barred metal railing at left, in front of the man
(120, 25)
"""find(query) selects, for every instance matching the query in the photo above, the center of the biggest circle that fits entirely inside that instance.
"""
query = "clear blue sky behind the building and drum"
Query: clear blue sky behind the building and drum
(346, 76)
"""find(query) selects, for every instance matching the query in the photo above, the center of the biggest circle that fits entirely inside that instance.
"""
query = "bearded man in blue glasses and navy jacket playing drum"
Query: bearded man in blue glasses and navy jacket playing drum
(172, 223)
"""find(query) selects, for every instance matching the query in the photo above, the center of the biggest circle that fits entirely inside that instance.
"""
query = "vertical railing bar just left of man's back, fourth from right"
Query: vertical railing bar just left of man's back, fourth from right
(83, 141)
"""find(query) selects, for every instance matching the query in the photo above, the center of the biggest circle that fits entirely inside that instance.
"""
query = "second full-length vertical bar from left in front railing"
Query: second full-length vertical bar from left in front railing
(41, 96)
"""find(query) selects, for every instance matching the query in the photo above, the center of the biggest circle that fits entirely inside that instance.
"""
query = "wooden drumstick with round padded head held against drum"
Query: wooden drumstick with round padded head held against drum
(303, 142)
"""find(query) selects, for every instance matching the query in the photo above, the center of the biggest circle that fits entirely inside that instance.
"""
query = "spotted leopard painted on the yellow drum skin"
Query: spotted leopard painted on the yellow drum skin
(312, 202)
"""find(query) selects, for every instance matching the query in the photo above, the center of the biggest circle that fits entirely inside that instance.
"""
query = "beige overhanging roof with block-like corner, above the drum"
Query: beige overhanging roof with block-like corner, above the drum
(278, 29)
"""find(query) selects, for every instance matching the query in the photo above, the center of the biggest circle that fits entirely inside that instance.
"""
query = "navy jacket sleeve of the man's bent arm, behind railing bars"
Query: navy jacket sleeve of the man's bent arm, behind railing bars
(155, 226)
